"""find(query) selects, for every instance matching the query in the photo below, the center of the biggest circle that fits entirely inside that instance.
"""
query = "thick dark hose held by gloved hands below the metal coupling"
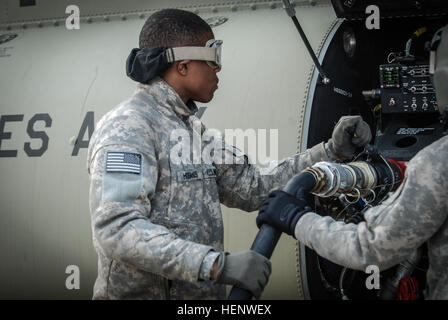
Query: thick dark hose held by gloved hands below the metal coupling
(267, 237)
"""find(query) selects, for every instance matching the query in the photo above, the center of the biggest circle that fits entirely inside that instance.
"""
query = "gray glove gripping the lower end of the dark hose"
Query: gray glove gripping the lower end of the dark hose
(245, 269)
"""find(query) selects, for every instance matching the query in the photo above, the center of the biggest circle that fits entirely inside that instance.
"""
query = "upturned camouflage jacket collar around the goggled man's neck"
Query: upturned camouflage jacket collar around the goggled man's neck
(168, 97)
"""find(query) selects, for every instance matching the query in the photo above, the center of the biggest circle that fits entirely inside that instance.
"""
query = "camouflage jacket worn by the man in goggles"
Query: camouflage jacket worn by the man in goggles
(152, 230)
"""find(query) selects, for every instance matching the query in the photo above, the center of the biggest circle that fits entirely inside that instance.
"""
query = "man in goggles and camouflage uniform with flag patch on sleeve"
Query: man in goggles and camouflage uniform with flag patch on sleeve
(156, 221)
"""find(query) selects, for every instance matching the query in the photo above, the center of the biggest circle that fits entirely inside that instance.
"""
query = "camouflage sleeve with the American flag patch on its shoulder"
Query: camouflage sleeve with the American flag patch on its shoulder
(120, 203)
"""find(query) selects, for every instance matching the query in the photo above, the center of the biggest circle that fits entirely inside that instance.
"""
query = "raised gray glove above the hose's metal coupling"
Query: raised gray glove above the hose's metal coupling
(349, 133)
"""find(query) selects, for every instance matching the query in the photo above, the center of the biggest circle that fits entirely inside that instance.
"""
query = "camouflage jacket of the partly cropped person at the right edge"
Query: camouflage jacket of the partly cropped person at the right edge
(416, 213)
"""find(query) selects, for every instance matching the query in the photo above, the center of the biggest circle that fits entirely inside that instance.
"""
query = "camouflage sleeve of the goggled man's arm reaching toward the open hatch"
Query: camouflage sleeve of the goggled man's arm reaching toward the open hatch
(245, 186)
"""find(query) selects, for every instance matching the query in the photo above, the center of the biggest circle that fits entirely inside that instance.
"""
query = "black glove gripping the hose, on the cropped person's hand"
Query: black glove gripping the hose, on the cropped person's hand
(282, 211)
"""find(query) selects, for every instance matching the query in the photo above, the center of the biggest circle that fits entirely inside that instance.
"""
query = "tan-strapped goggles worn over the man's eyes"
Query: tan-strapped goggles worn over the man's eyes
(211, 53)
